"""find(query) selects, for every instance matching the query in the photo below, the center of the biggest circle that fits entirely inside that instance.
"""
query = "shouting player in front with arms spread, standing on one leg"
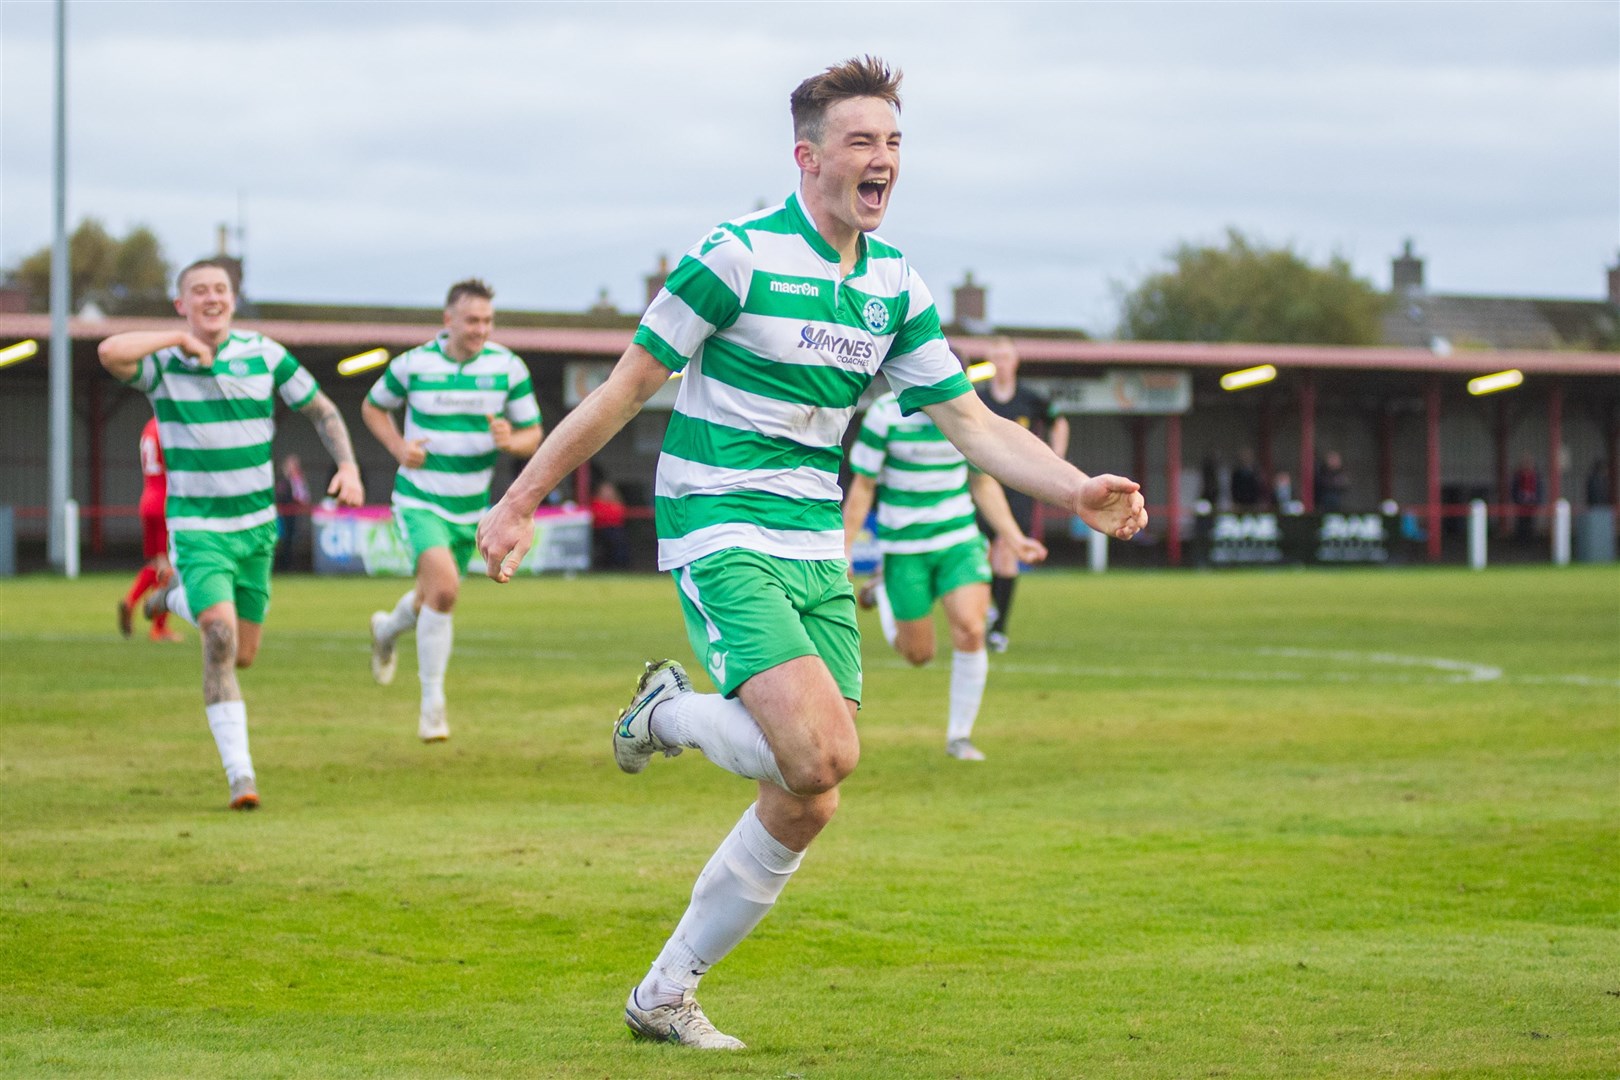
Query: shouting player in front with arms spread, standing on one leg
(778, 321)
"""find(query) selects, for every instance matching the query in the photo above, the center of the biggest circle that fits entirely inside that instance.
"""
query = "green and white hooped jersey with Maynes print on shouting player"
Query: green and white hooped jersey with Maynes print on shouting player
(777, 349)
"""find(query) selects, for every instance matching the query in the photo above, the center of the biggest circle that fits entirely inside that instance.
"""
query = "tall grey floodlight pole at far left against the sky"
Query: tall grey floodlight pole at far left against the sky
(61, 347)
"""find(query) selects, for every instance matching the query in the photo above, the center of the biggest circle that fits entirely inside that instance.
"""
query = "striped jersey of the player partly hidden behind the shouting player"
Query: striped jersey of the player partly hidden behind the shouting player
(924, 503)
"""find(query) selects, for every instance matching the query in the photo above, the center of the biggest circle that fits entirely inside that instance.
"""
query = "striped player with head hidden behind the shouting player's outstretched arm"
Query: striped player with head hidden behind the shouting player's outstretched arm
(926, 493)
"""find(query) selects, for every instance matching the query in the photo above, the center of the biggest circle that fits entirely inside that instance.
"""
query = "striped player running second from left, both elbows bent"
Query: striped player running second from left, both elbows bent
(467, 401)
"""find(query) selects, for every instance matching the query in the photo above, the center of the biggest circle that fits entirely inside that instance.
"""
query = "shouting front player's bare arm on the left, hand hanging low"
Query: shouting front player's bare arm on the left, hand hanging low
(508, 530)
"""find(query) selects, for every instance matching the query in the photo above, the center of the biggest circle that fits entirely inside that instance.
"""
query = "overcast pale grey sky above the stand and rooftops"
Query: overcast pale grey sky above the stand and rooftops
(380, 151)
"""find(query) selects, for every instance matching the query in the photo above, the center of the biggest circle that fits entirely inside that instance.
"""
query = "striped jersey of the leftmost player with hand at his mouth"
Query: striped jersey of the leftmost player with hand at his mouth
(216, 427)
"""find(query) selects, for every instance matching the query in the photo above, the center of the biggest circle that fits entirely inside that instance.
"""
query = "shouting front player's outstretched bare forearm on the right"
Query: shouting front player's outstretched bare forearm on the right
(1018, 459)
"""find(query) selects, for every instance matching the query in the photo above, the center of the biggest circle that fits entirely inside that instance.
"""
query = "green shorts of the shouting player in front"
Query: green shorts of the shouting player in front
(749, 613)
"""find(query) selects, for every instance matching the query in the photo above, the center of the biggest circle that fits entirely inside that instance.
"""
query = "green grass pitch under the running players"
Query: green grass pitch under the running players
(1247, 825)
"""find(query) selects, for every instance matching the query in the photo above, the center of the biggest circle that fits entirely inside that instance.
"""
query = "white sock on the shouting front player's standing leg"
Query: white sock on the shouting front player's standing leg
(736, 890)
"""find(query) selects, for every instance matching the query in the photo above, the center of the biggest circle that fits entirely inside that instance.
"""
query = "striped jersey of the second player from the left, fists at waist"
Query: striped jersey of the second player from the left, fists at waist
(450, 404)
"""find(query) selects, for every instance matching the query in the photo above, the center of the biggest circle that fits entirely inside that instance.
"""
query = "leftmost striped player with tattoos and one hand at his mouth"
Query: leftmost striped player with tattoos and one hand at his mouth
(215, 393)
